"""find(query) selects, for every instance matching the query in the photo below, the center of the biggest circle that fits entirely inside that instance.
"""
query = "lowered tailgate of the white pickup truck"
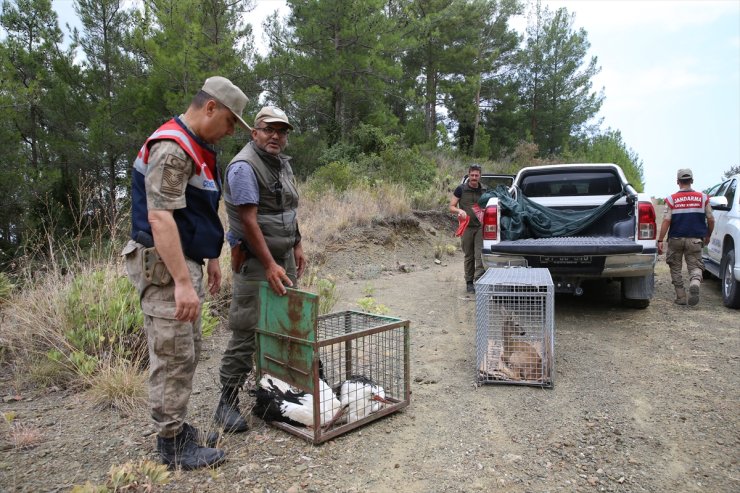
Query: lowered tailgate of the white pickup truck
(568, 246)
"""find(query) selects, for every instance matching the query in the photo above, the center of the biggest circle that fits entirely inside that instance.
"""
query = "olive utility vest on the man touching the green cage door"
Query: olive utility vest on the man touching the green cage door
(276, 211)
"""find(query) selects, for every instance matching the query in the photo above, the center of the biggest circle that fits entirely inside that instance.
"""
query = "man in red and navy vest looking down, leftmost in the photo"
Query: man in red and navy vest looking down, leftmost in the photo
(175, 229)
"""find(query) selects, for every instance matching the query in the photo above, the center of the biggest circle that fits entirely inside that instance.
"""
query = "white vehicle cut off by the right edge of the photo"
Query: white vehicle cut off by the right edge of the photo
(721, 255)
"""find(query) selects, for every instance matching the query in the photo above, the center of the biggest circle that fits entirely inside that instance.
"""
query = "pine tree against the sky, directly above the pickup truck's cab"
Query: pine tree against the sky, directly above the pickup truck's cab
(556, 80)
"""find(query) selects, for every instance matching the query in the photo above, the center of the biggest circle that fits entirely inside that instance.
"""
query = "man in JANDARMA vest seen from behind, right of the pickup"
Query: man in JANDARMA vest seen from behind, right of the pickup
(688, 221)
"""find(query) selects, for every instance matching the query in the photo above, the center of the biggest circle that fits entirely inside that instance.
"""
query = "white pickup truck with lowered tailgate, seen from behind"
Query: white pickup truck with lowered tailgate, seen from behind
(620, 245)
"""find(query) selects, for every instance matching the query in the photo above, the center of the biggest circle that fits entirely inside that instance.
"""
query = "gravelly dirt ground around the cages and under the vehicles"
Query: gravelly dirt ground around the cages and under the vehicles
(643, 400)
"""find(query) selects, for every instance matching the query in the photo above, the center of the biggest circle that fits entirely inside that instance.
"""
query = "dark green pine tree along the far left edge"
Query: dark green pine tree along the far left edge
(34, 119)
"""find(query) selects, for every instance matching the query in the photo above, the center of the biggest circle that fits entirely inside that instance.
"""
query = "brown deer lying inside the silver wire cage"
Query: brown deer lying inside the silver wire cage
(521, 357)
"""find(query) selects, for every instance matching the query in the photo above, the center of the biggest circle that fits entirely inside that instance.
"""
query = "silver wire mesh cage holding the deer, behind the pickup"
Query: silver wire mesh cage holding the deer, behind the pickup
(515, 319)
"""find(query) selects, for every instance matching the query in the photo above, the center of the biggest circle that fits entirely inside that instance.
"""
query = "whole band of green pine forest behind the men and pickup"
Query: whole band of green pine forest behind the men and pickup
(373, 87)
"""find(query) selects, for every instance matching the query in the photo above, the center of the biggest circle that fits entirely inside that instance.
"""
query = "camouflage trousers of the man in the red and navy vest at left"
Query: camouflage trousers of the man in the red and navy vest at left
(174, 346)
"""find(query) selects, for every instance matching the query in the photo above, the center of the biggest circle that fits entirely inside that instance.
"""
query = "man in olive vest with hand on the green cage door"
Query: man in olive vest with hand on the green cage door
(261, 200)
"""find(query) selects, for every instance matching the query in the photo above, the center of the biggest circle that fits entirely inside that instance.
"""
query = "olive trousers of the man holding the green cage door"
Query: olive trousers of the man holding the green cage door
(237, 361)
